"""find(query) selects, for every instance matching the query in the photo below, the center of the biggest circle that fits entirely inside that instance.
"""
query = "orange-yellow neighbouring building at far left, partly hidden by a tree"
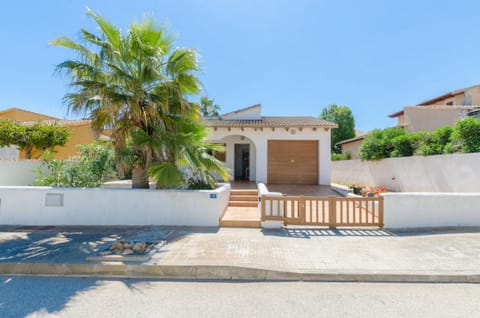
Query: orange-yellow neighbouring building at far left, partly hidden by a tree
(81, 133)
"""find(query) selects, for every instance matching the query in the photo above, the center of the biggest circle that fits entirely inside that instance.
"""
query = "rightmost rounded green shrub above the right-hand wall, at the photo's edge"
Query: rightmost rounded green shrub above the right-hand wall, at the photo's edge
(467, 134)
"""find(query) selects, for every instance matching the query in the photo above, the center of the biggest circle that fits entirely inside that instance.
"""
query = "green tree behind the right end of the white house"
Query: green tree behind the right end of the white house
(342, 116)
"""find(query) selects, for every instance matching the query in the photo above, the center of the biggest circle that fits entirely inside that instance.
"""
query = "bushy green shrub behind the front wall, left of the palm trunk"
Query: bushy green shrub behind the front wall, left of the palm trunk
(90, 169)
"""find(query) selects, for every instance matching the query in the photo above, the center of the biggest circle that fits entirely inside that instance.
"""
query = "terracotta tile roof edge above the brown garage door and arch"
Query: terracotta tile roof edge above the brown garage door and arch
(271, 122)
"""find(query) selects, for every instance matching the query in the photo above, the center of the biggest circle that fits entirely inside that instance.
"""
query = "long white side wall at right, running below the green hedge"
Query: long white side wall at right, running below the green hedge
(442, 173)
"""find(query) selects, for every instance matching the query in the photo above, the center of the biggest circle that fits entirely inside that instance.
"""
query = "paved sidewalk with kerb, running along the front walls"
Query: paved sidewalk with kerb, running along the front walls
(226, 253)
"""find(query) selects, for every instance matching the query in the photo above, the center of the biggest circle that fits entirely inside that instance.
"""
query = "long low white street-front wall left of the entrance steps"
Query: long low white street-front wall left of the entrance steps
(27, 206)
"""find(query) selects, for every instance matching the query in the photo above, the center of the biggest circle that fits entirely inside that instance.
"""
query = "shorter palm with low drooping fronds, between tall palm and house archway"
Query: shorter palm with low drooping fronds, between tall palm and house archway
(181, 153)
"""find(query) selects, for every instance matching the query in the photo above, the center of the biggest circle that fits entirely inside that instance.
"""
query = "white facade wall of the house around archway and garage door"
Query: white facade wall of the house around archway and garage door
(260, 139)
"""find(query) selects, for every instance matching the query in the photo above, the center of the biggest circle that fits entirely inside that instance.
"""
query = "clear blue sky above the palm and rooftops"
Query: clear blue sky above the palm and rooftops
(293, 57)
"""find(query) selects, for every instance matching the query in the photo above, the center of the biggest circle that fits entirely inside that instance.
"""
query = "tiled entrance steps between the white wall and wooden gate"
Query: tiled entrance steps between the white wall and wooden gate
(242, 210)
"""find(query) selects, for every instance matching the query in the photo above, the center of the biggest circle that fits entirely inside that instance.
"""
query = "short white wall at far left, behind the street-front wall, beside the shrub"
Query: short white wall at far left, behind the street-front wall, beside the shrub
(18, 172)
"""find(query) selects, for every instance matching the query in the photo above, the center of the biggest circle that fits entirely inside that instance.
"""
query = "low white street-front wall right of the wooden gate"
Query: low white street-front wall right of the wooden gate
(416, 210)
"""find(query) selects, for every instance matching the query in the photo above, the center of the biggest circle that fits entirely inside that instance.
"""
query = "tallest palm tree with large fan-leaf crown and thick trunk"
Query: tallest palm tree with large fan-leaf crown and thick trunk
(129, 80)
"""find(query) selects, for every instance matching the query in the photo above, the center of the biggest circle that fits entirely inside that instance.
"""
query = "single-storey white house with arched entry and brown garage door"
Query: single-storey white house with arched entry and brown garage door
(282, 150)
